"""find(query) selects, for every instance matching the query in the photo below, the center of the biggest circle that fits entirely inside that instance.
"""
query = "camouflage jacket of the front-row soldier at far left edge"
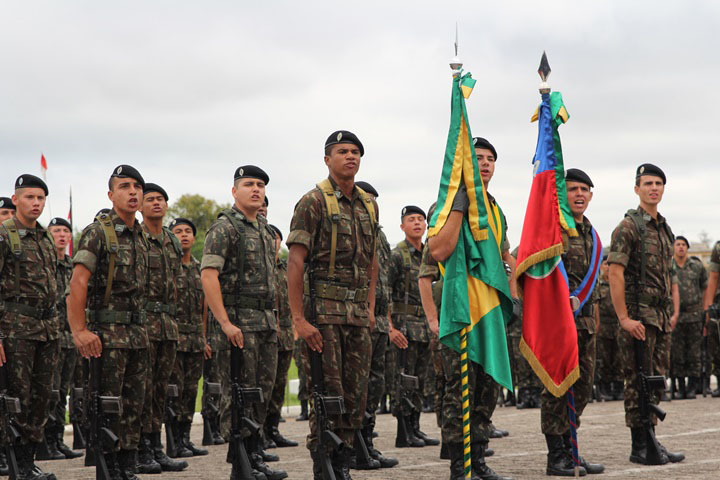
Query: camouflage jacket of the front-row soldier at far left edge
(28, 303)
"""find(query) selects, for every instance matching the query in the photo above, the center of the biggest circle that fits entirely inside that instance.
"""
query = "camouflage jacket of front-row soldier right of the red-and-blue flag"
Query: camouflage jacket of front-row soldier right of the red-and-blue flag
(652, 301)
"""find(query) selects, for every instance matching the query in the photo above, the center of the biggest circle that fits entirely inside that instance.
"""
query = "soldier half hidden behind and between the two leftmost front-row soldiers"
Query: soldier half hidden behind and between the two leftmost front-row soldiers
(61, 230)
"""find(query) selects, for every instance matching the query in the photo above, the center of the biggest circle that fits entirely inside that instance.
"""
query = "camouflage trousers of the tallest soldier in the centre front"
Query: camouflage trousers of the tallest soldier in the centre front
(346, 368)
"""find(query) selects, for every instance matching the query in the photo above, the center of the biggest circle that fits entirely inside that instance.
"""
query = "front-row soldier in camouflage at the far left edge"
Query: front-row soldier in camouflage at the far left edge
(28, 317)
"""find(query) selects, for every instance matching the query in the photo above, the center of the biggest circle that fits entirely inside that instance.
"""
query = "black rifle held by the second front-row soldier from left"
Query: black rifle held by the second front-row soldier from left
(100, 439)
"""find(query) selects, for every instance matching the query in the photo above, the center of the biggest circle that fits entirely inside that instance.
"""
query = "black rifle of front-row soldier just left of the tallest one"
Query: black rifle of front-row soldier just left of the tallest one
(241, 398)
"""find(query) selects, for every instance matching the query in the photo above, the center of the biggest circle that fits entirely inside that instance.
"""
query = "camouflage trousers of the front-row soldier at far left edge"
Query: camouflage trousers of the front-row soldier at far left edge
(30, 368)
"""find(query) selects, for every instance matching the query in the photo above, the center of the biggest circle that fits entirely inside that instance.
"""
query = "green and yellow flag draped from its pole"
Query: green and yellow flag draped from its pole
(476, 293)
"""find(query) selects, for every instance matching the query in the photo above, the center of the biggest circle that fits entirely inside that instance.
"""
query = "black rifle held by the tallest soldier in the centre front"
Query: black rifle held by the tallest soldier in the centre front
(323, 404)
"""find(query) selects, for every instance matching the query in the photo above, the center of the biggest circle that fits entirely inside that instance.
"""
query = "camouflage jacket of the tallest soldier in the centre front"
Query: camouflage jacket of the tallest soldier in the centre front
(356, 235)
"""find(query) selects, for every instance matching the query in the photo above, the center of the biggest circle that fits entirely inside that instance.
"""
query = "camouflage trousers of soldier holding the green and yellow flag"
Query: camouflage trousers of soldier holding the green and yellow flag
(483, 393)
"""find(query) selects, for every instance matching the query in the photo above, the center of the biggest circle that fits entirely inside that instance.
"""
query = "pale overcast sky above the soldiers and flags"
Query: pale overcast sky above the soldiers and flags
(188, 91)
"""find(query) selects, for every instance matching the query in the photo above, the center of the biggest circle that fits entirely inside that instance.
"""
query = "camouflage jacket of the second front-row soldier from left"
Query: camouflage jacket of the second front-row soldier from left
(129, 286)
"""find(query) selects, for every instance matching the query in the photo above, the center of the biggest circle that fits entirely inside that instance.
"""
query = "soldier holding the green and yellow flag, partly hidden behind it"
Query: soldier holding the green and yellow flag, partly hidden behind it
(482, 388)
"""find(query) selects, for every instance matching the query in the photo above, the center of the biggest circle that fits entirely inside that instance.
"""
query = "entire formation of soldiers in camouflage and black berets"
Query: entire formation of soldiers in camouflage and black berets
(361, 319)
